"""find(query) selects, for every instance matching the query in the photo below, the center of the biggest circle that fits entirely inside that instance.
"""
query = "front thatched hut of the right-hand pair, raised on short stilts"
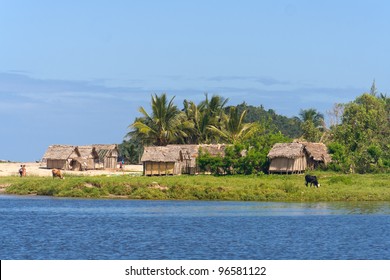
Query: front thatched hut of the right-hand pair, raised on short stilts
(287, 158)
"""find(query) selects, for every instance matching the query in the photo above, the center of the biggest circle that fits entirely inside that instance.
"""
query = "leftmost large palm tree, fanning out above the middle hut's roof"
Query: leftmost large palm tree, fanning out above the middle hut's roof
(165, 125)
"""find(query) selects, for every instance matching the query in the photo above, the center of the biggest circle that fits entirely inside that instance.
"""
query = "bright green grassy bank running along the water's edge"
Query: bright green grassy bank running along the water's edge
(334, 187)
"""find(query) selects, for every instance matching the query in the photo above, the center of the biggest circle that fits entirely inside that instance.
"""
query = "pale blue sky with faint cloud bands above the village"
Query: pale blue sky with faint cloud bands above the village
(75, 72)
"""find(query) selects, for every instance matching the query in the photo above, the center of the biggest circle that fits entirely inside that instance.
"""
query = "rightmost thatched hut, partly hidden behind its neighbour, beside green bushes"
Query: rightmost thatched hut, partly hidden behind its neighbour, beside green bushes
(317, 155)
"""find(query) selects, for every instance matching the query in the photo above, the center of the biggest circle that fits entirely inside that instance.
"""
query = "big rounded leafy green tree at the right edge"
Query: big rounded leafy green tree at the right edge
(365, 132)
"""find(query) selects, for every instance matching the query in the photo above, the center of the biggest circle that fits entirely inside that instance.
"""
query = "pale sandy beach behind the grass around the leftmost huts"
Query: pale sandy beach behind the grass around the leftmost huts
(39, 169)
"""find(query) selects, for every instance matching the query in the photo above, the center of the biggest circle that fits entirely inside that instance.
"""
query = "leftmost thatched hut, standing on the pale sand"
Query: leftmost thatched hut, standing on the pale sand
(61, 156)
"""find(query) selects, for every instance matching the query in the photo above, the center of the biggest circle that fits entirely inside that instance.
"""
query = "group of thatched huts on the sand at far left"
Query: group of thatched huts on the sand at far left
(80, 158)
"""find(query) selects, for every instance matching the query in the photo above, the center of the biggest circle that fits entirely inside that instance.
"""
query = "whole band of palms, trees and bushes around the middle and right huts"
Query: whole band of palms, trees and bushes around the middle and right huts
(358, 139)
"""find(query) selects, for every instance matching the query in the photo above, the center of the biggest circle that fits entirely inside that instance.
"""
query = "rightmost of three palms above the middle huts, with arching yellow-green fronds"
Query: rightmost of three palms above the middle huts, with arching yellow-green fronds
(233, 128)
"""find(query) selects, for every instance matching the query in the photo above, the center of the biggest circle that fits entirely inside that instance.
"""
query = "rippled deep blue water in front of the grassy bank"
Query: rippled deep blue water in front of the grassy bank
(52, 228)
